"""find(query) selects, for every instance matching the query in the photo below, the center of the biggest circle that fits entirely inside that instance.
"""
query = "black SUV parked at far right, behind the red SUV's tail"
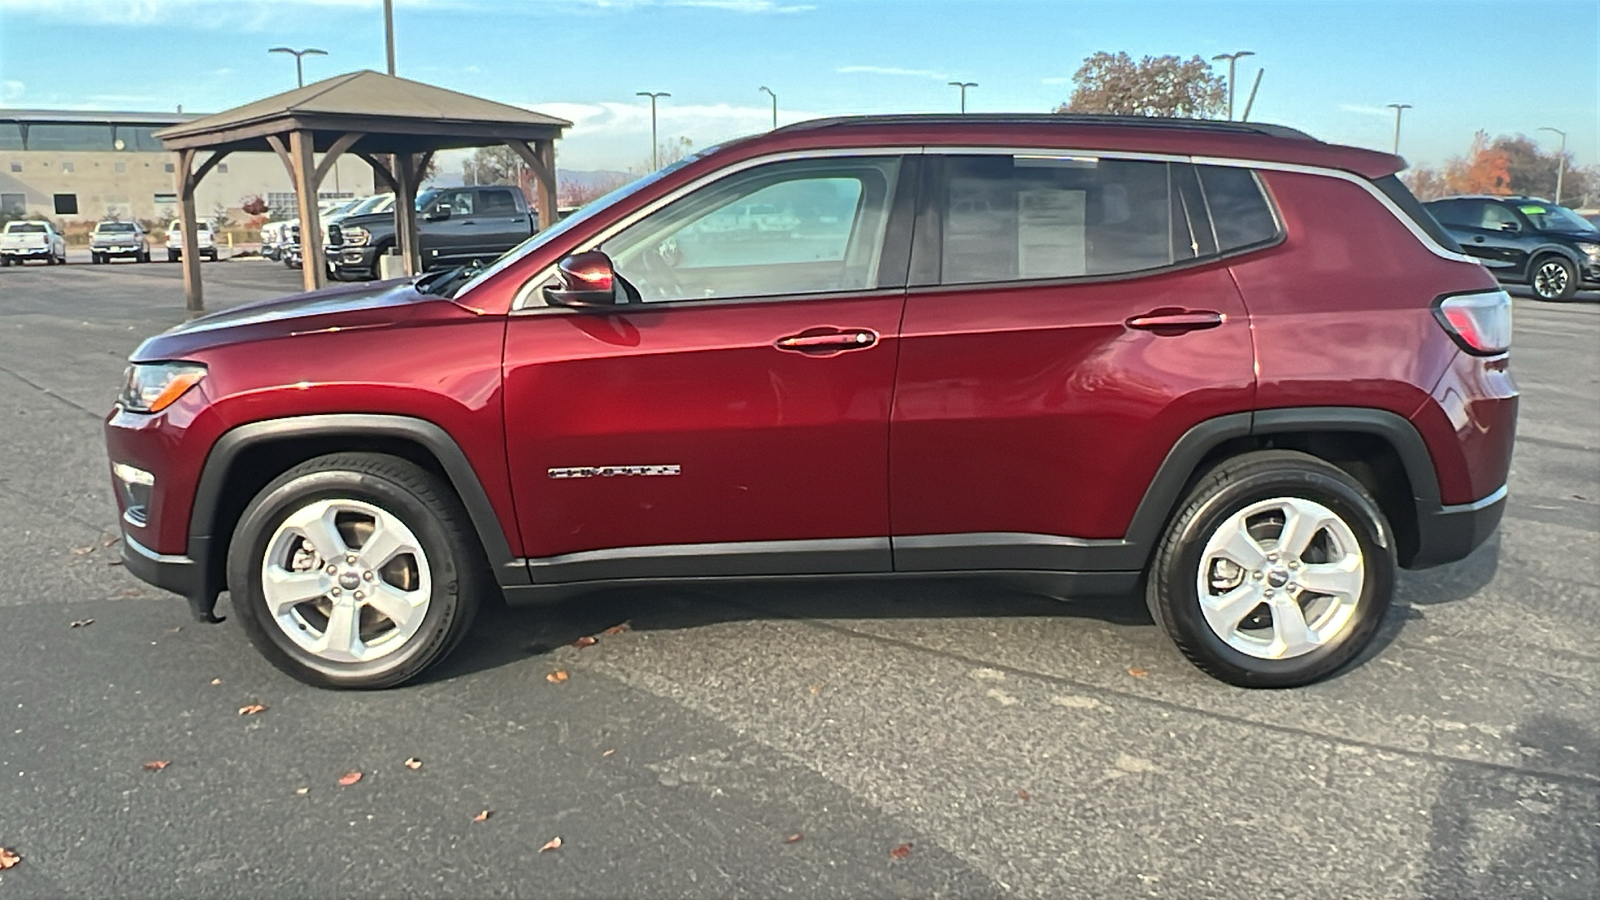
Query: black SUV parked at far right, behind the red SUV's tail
(1526, 241)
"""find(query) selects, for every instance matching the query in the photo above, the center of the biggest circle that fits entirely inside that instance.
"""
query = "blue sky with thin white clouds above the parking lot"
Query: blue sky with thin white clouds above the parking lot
(1508, 66)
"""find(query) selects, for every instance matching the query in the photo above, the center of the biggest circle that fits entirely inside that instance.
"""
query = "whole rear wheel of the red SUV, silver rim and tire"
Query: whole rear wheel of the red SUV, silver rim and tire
(1276, 573)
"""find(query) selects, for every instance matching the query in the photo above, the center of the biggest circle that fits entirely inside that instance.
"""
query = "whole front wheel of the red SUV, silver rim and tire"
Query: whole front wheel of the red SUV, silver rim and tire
(356, 571)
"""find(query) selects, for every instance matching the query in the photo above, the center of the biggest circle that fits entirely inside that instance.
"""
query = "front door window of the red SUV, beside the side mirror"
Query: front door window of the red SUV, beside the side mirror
(788, 228)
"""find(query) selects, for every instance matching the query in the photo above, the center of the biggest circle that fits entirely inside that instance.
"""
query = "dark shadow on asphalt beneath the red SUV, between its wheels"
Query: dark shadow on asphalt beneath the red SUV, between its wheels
(506, 635)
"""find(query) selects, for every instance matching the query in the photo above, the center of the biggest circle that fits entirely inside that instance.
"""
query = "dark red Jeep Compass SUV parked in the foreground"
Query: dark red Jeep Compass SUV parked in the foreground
(1226, 364)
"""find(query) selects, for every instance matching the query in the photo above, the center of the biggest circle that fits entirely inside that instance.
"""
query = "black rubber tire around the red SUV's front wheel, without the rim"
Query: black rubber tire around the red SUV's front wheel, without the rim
(425, 504)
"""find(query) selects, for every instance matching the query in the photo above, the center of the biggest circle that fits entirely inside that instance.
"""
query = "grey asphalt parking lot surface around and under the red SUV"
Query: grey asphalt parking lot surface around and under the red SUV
(1020, 747)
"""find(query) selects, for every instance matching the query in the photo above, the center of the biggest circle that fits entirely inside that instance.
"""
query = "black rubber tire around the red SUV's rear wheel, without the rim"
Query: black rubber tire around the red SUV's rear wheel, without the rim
(1174, 592)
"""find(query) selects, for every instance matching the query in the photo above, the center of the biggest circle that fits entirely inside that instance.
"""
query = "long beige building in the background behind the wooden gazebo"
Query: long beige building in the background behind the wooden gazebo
(76, 167)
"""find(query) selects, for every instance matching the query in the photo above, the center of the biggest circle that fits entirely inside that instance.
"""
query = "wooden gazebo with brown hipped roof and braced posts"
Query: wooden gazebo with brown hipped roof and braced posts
(393, 124)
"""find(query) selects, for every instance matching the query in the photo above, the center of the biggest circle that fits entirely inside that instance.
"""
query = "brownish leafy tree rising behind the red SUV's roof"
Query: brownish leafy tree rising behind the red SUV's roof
(1156, 86)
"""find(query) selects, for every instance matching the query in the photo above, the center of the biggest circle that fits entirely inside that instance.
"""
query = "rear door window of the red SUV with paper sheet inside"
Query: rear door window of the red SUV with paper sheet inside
(1018, 219)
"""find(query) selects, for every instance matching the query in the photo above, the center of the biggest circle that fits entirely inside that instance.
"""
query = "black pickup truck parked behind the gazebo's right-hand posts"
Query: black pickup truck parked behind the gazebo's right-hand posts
(455, 227)
